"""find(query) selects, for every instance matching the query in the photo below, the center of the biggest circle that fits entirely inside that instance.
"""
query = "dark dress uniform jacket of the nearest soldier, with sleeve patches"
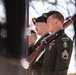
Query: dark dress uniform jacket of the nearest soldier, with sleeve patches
(57, 55)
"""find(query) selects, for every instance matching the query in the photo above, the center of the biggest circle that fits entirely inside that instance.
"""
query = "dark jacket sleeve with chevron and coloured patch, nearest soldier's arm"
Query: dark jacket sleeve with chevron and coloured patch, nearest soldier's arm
(64, 50)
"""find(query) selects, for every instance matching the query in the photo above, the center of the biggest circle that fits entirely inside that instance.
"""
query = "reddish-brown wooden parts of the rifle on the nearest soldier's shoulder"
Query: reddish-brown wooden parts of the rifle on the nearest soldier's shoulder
(31, 58)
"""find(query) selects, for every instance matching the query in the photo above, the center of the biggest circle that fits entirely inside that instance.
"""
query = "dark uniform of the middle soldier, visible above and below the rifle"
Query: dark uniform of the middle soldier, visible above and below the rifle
(36, 68)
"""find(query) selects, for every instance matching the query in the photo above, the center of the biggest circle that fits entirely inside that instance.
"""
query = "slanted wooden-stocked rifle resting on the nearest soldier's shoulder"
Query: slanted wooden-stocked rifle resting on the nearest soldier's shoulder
(31, 58)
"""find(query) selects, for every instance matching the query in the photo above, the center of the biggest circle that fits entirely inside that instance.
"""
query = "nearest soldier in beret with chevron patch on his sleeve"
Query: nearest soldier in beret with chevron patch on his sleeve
(58, 52)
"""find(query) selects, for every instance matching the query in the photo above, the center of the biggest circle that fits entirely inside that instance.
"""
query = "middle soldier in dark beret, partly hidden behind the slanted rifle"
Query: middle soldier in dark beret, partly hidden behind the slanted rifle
(41, 28)
